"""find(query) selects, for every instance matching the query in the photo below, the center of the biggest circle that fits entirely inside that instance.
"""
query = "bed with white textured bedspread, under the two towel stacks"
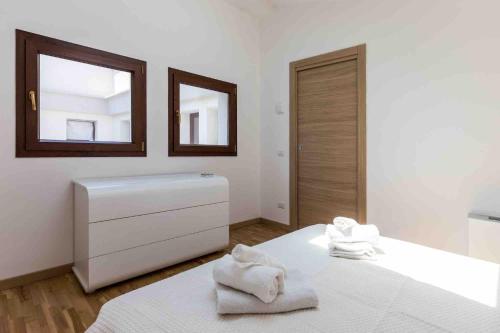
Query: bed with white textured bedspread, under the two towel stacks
(411, 288)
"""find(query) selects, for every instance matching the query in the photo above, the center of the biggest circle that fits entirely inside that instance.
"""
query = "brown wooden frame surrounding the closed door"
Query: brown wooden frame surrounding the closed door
(357, 53)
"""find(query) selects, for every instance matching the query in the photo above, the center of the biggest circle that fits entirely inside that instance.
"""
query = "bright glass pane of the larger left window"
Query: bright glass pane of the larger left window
(82, 102)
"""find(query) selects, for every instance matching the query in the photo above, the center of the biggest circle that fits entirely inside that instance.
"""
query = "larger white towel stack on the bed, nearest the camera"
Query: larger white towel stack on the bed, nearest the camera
(249, 281)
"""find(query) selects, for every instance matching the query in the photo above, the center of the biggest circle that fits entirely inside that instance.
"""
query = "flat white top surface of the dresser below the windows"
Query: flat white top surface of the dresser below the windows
(96, 183)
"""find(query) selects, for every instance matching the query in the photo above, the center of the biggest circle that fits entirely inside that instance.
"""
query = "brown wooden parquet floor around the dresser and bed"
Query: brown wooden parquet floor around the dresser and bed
(60, 305)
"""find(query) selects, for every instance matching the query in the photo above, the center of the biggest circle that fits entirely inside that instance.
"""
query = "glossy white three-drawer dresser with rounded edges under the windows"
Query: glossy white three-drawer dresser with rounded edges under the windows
(127, 226)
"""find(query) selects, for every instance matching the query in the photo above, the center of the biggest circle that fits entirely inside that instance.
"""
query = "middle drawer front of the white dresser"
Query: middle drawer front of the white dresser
(116, 235)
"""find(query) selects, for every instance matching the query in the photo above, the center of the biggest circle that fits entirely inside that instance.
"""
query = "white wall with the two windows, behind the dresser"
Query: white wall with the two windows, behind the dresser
(207, 37)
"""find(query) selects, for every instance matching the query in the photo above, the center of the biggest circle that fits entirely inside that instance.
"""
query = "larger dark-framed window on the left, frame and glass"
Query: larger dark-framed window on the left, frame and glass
(78, 101)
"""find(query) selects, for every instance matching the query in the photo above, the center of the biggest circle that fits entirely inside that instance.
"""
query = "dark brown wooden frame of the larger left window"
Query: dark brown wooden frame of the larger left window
(28, 48)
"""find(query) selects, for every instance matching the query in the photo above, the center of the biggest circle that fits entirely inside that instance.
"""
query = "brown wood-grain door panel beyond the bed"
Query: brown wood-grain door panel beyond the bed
(329, 166)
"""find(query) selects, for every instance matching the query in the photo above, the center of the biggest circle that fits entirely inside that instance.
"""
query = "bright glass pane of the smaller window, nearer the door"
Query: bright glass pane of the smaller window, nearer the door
(203, 116)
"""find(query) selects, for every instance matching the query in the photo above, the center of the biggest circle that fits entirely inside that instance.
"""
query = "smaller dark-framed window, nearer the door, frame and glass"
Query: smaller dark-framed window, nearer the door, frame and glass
(202, 115)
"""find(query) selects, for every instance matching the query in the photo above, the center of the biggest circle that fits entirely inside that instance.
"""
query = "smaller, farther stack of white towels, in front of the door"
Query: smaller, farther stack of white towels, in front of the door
(348, 239)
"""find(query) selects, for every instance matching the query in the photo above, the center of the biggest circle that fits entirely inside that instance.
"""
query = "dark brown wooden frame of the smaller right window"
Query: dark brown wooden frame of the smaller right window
(175, 79)
